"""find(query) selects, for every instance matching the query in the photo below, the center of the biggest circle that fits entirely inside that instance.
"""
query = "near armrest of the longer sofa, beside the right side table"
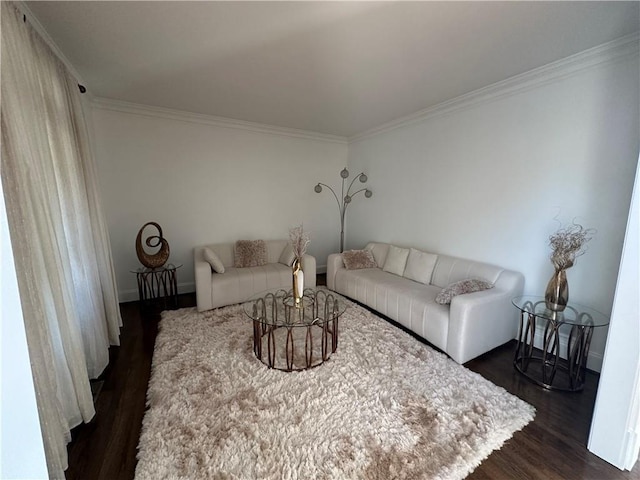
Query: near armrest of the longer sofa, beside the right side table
(482, 321)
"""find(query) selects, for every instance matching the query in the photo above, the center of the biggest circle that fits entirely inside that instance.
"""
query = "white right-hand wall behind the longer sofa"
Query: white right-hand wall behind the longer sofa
(484, 178)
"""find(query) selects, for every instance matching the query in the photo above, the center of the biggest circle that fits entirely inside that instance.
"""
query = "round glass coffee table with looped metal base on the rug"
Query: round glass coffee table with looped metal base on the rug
(290, 338)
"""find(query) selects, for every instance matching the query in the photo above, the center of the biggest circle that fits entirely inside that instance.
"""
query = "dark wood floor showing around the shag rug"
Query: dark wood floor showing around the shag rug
(553, 446)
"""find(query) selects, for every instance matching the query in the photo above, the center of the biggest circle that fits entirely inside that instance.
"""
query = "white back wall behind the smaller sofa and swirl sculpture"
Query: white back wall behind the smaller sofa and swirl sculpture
(205, 182)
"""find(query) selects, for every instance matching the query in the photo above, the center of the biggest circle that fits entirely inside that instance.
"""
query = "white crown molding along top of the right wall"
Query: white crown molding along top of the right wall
(610, 52)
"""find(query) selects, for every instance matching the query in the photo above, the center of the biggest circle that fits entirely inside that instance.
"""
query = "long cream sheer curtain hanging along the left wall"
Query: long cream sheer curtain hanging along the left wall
(59, 237)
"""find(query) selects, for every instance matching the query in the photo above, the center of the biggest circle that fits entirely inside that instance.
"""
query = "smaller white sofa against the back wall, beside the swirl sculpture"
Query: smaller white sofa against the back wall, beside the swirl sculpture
(236, 285)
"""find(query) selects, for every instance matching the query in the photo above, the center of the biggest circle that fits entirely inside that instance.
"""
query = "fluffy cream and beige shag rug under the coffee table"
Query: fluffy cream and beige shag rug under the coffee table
(384, 406)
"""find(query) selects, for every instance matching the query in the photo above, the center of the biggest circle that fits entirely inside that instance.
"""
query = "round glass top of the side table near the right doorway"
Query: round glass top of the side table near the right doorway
(573, 314)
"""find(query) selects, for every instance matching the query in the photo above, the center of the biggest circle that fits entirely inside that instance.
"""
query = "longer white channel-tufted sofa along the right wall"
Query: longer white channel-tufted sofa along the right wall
(471, 325)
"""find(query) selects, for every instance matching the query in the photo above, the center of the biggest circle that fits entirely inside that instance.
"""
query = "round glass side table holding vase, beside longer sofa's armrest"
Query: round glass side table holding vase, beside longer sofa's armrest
(542, 365)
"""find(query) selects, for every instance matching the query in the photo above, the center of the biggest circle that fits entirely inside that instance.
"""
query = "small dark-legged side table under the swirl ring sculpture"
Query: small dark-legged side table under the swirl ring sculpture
(155, 284)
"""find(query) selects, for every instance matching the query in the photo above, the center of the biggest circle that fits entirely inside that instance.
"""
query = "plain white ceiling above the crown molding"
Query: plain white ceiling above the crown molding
(337, 68)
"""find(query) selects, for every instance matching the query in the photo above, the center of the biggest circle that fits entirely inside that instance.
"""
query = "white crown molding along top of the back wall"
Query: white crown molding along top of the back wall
(182, 116)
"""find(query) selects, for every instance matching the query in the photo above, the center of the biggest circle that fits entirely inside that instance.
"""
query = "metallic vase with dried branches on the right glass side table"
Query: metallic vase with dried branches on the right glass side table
(567, 244)
